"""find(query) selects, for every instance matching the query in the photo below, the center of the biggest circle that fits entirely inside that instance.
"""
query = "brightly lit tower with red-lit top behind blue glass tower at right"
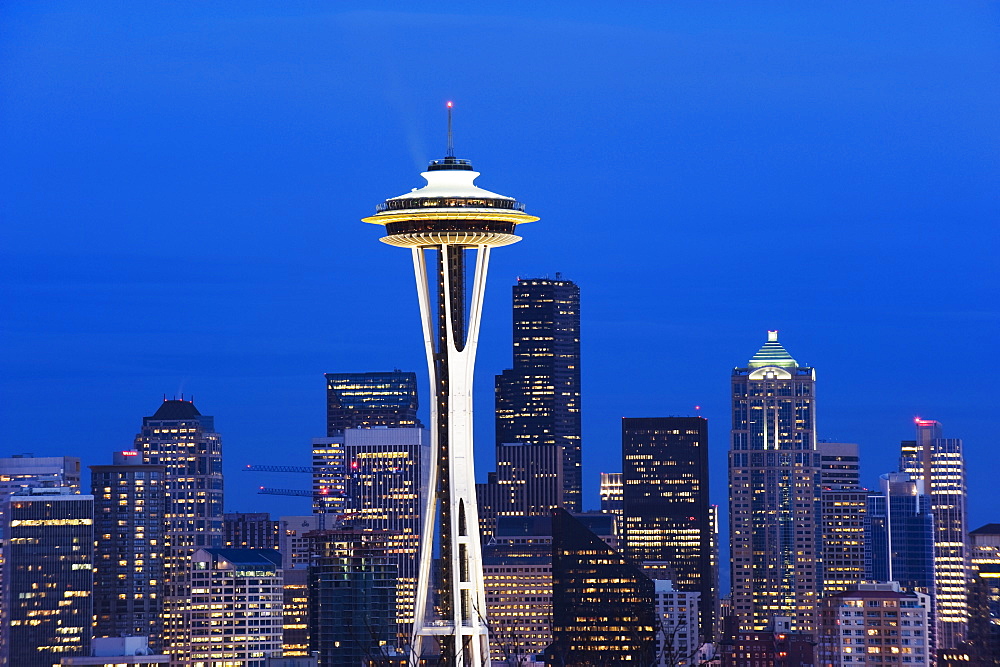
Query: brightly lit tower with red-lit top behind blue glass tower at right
(939, 464)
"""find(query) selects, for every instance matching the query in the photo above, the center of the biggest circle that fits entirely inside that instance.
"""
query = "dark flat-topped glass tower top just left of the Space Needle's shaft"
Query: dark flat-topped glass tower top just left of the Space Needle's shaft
(364, 400)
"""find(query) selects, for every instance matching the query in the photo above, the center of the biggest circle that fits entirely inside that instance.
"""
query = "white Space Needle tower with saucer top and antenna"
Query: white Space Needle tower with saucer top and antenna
(450, 226)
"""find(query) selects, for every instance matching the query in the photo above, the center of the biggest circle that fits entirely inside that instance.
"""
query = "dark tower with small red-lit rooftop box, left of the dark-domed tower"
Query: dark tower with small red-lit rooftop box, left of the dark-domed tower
(129, 507)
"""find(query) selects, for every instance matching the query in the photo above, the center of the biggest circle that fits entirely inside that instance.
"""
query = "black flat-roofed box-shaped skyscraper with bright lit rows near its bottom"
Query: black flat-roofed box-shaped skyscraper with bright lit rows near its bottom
(667, 516)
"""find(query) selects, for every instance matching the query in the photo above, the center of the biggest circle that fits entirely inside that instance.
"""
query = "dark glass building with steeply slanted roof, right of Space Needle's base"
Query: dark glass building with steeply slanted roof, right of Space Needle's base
(603, 607)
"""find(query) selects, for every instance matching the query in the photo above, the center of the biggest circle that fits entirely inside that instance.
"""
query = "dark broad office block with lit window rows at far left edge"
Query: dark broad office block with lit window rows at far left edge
(48, 581)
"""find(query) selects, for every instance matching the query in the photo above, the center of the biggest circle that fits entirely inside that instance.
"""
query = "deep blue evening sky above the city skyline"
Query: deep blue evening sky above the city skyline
(182, 183)
